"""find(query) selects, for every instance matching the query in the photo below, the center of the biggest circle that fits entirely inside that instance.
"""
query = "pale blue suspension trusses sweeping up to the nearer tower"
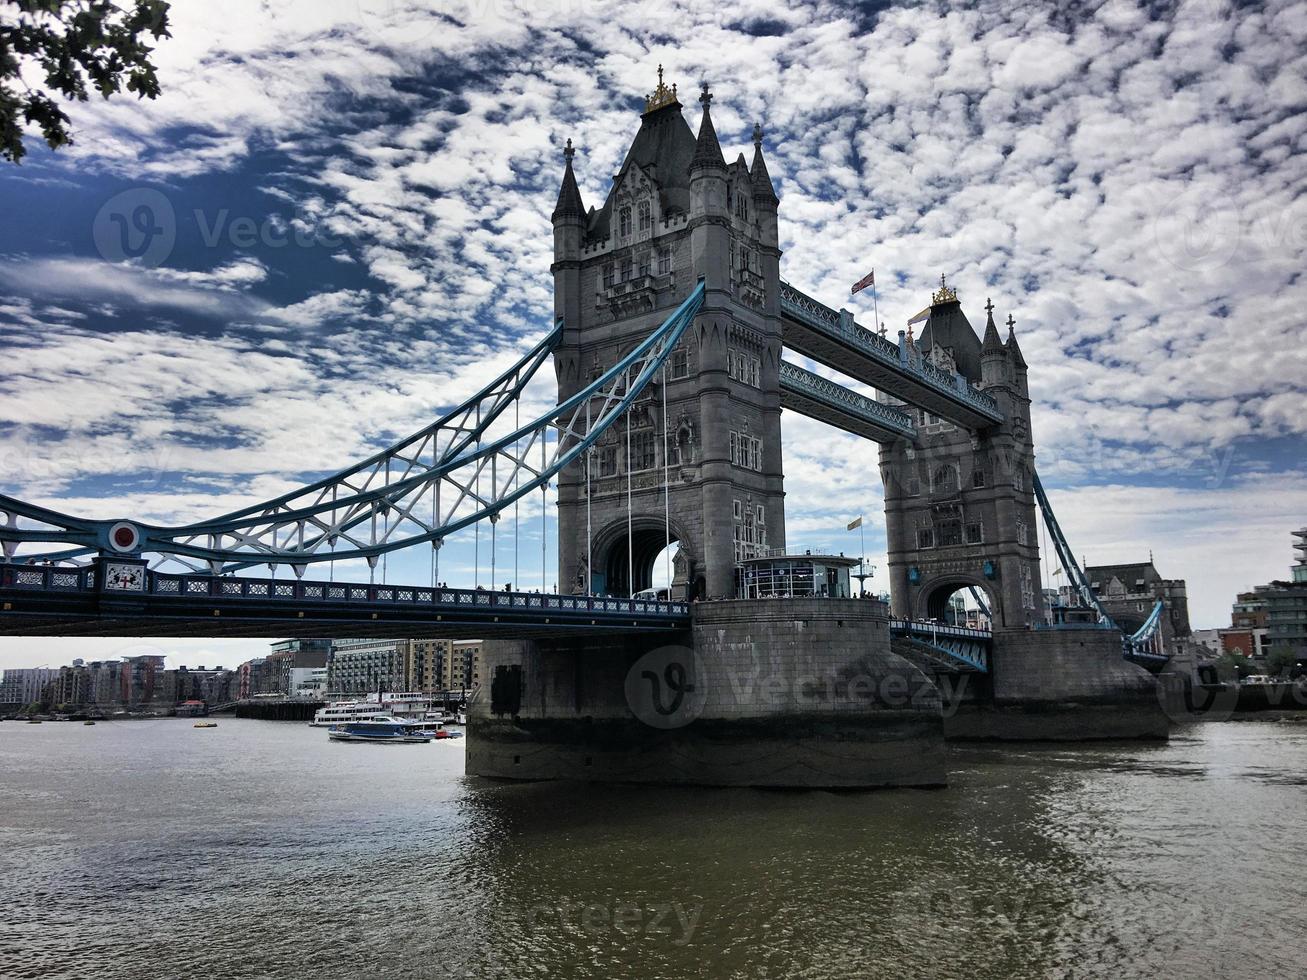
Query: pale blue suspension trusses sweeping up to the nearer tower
(373, 510)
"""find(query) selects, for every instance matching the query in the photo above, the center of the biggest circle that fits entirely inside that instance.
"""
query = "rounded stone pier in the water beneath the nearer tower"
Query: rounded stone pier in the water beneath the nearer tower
(784, 693)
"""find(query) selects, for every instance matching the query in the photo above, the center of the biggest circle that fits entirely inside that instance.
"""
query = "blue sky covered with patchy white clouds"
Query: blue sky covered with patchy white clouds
(354, 233)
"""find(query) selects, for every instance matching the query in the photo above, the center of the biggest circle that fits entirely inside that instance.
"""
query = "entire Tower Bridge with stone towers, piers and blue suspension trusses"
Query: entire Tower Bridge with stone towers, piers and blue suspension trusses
(671, 325)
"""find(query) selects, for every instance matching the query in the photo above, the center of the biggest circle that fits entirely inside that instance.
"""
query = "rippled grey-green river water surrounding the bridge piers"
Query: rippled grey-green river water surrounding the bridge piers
(261, 850)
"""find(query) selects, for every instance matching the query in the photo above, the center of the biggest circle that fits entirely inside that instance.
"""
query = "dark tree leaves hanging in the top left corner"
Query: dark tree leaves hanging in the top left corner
(78, 45)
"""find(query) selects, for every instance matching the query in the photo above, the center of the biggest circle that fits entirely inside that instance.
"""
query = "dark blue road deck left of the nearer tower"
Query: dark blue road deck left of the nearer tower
(53, 602)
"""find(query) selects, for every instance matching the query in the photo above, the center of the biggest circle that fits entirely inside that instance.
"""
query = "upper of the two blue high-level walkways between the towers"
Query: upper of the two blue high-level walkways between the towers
(833, 339)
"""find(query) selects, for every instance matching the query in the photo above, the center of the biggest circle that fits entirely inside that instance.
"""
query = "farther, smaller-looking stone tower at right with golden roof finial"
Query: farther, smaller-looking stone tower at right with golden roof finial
(960, 506)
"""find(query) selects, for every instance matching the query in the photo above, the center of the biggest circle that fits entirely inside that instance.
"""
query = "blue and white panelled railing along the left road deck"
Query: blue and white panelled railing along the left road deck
(161, 585)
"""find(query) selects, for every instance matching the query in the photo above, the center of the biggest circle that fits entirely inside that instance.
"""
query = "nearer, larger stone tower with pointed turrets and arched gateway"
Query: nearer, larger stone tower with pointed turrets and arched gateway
(676, 214)
